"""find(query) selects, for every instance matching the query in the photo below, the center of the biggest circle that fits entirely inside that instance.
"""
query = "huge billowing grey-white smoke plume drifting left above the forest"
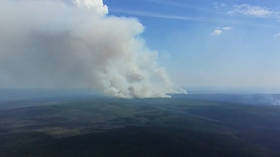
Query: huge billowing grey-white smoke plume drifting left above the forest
(50, 44)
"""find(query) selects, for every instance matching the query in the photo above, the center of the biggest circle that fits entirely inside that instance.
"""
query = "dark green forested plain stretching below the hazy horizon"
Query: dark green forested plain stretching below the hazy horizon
(103, 127)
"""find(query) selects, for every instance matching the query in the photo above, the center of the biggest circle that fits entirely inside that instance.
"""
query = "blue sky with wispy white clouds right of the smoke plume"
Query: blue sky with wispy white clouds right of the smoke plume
(224, 44)
